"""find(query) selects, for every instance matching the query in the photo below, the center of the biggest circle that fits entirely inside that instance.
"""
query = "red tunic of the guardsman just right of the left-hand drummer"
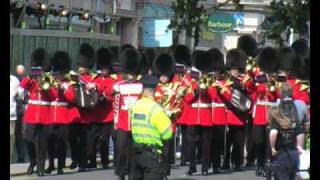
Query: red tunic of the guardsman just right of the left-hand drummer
(104, 109)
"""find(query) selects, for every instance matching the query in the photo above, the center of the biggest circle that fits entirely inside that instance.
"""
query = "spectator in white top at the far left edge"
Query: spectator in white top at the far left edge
(14, 93)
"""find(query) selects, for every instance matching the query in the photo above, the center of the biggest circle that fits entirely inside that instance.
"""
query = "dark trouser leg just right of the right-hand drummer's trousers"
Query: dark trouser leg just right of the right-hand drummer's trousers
(250, 145)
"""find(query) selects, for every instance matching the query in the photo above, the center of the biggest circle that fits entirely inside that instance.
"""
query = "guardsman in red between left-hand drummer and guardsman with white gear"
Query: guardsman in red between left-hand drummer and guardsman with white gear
(103, 123)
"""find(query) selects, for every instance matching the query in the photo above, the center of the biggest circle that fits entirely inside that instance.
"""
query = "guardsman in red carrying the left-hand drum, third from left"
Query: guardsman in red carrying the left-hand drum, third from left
(79, 128)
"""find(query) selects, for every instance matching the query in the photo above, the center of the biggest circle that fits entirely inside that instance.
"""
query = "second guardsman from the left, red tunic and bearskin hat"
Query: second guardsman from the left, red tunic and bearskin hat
(62, 93)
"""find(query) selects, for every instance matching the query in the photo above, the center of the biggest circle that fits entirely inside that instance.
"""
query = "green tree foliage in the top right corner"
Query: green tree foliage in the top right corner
(286, 15)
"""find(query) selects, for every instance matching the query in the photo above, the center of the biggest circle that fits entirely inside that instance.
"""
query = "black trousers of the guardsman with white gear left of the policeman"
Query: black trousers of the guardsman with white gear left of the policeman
(123, 143)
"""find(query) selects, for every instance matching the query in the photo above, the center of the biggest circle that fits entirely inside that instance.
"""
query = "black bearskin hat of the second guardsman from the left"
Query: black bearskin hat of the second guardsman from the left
(61, 62)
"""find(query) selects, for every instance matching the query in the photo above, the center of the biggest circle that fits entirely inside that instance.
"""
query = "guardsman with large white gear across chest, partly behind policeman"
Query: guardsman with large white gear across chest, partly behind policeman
(127, 91)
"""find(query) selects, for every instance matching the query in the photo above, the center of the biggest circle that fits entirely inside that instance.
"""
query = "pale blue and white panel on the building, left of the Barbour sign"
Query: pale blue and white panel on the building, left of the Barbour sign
(156, 33)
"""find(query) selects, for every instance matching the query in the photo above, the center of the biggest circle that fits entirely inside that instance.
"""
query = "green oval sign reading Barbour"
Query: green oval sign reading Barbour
(220, 22)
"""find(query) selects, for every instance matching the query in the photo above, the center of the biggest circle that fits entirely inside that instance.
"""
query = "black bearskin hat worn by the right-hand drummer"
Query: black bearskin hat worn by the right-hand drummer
(236, 59)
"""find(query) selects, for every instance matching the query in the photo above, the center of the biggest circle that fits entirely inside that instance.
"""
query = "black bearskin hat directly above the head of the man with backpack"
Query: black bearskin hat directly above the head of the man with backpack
(287, 58)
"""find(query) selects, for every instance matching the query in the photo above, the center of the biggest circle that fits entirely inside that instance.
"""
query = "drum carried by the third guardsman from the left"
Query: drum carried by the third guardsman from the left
(85, 99)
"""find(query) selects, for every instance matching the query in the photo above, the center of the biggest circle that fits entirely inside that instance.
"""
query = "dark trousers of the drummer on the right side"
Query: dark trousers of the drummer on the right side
(235, 139)
